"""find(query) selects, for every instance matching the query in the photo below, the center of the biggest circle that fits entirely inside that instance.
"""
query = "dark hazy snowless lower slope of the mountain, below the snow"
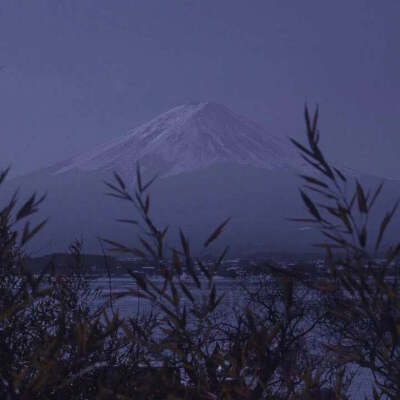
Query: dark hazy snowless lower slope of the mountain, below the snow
(258, 201)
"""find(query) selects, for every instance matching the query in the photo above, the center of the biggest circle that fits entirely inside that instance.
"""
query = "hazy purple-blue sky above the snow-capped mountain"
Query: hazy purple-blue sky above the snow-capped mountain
(79, 72)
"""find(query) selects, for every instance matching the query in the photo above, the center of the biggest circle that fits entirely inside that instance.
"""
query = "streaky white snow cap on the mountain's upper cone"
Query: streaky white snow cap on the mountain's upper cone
(189, 137)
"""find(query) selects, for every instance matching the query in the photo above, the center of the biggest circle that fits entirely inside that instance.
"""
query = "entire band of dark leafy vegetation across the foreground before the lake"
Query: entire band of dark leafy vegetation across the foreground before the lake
(292, 337)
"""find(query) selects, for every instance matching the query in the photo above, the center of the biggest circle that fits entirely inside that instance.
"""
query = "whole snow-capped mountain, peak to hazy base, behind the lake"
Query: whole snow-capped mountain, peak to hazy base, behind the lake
(212, 164)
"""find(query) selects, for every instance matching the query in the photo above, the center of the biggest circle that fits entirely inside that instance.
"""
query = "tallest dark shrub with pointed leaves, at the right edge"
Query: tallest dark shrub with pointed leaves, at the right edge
(361, 291)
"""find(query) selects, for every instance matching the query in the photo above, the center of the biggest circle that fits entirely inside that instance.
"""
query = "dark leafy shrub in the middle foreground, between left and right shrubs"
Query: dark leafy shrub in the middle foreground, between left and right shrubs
(261, 352)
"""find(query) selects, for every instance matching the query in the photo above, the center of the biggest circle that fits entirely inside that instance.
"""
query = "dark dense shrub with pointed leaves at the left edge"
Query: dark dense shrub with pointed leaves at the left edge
(50, 339)
